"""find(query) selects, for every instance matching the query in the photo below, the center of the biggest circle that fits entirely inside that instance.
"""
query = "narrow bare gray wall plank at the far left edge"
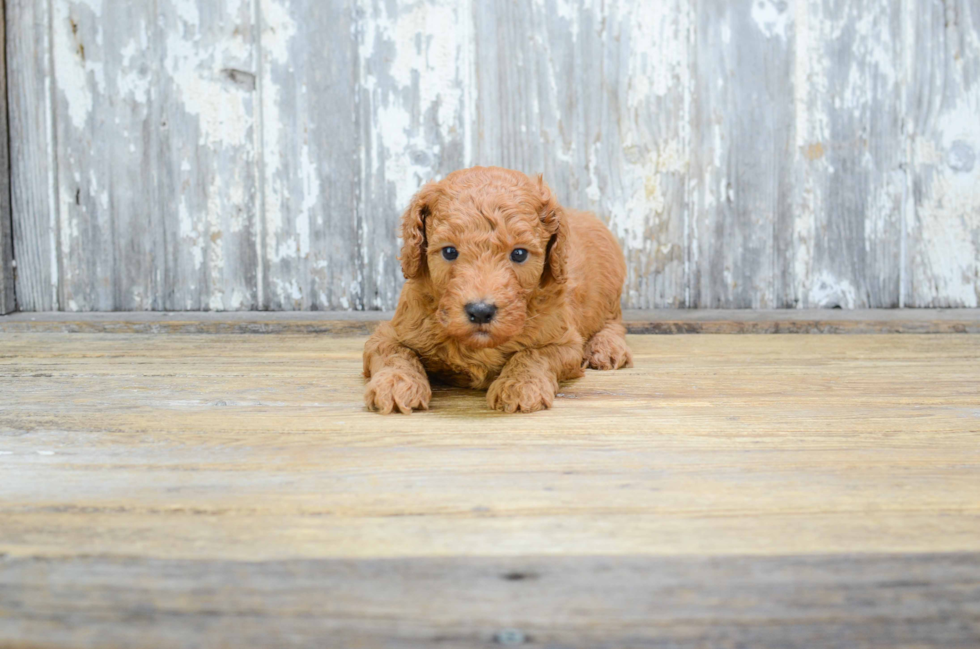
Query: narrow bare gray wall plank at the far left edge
(32, 167)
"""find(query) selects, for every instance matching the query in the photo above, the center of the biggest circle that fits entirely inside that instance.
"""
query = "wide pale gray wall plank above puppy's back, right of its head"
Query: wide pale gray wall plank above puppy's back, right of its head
(597, 98)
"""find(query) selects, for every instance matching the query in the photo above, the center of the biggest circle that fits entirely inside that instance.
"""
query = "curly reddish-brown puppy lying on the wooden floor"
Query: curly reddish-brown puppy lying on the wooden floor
(507, 291)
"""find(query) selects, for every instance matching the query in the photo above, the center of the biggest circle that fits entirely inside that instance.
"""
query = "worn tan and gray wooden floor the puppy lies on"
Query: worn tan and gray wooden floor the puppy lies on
(730, 491)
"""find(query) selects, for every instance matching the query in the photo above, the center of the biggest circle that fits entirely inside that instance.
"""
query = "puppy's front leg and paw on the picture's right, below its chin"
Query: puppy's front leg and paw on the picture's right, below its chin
(529, 380)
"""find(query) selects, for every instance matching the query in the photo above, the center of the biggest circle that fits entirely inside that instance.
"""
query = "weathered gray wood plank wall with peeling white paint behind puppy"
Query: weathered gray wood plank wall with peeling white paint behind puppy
(256, 154)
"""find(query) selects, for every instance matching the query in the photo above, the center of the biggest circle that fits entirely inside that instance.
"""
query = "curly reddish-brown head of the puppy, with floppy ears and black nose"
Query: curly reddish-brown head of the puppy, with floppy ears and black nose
(484, 240)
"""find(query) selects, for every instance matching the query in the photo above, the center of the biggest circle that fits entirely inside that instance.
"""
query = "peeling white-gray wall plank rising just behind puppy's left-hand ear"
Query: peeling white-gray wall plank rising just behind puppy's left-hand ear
(414, 121)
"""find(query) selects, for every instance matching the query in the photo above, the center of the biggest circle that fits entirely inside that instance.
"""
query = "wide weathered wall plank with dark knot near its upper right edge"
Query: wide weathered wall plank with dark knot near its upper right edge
(153, 115)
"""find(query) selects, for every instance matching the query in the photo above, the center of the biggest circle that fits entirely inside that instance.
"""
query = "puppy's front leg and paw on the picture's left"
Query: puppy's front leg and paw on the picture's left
(397, 377)
